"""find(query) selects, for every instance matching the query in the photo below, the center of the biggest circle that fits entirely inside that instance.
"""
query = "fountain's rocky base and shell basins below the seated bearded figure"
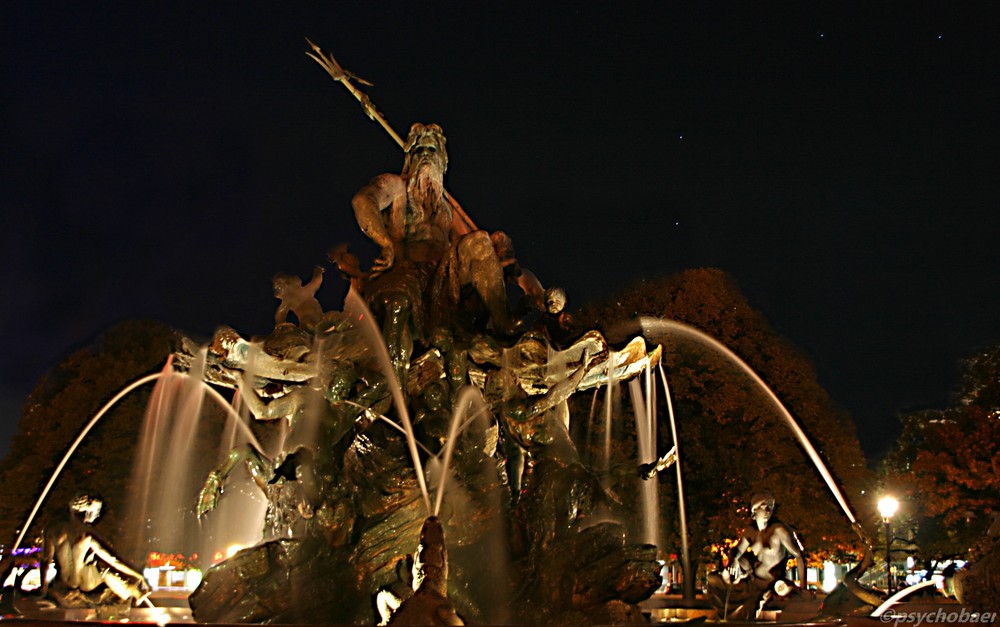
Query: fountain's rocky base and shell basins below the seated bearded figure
(363, 501)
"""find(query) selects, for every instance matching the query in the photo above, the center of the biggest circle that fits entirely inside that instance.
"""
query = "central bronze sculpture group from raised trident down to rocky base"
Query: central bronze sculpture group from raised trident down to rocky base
(438, 291)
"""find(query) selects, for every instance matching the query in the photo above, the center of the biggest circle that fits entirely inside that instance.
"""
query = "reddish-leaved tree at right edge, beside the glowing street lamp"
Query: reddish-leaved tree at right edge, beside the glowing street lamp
(947, 463)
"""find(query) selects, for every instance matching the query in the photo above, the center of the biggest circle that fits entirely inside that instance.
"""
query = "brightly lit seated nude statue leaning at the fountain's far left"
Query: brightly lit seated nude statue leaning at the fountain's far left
(83, 562)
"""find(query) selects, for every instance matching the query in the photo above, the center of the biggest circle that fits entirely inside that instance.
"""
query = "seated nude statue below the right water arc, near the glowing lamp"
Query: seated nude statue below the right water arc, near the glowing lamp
(746, 584)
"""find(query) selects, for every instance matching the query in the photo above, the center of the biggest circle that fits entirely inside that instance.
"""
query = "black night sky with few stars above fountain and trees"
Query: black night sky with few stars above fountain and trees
(838, 160)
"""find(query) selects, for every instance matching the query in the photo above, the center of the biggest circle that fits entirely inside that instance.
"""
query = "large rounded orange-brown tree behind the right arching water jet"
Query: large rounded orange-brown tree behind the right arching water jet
(732, 438)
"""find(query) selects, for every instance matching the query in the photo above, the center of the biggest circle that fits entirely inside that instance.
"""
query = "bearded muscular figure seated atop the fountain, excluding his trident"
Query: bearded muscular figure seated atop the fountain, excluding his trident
(426, 258)
